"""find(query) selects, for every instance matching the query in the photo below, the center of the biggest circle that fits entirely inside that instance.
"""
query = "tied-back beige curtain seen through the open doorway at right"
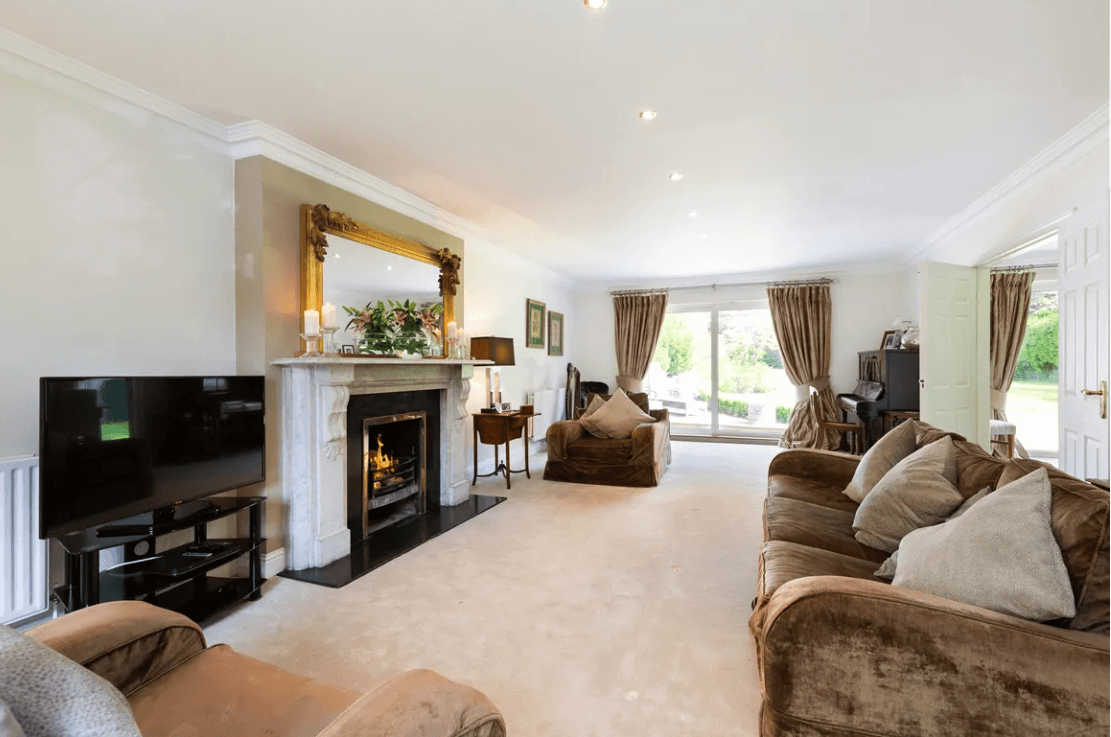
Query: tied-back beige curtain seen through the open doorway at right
(1010, 304)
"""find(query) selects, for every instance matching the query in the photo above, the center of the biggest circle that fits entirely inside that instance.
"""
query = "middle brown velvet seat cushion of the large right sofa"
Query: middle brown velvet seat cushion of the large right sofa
(792, 521)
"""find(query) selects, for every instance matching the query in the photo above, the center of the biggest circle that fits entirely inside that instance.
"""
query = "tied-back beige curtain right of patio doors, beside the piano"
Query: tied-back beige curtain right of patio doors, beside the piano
(803, 315)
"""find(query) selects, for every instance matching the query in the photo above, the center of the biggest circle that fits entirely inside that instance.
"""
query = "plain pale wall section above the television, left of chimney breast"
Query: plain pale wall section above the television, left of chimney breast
(118, 243)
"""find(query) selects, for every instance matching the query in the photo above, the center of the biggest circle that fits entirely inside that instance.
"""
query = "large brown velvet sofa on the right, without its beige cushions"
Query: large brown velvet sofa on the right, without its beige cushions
(844, 654)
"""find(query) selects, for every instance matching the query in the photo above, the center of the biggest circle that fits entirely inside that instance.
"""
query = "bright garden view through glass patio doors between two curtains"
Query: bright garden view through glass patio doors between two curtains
(720, 372)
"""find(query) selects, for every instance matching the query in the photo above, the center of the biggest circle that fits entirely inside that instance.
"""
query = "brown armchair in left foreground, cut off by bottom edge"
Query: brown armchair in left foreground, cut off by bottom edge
(179, 688)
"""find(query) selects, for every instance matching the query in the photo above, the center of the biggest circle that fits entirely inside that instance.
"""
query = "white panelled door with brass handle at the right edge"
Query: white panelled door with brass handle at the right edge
(1083, 300)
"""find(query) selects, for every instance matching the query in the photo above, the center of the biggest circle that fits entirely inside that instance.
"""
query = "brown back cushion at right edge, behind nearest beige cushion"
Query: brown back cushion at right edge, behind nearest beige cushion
(1079, 520)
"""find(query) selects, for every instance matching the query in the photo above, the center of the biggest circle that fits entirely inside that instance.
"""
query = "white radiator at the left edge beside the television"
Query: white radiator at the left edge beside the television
(23, 555)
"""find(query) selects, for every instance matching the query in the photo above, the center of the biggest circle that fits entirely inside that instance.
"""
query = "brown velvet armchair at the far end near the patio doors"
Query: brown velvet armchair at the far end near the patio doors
(577, 456)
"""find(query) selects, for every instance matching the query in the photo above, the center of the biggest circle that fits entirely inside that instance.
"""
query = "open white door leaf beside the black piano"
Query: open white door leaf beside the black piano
(950, 360)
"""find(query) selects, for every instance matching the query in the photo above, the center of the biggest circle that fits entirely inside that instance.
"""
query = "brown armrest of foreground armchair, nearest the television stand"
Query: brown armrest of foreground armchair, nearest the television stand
(127, 643)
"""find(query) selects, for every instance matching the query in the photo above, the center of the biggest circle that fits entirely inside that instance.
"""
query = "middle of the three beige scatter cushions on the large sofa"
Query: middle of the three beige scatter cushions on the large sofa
(919, 492)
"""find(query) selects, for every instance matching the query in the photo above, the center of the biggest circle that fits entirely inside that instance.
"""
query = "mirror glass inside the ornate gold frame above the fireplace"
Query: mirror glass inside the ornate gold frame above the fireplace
(355, 275)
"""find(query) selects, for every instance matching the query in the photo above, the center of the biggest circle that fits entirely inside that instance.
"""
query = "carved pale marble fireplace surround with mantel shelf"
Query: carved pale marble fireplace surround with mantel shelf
(315, 394)
